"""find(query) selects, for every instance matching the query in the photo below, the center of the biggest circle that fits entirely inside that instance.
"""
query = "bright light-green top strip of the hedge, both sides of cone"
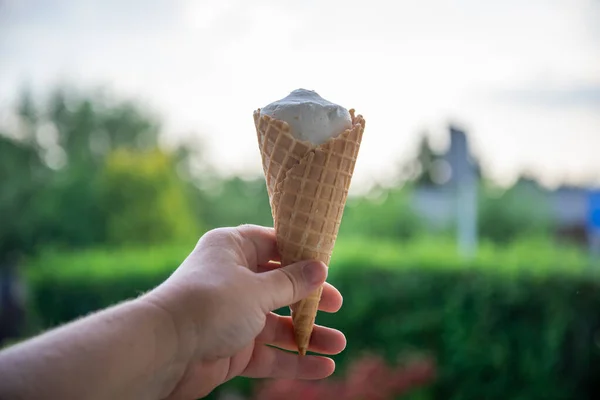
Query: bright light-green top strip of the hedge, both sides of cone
(535, 256)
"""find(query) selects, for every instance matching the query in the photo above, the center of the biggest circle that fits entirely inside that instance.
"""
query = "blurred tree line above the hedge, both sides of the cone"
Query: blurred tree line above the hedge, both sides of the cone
(85, 169)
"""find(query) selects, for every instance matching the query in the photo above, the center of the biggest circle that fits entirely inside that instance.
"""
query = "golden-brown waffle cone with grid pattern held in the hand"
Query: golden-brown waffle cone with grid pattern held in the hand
(308, 187)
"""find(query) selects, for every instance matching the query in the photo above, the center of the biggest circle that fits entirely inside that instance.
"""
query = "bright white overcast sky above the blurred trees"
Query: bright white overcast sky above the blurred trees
(521, 77)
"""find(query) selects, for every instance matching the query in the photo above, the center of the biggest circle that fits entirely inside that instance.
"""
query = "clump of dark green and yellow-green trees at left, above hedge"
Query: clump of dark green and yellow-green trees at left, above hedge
(63, 158)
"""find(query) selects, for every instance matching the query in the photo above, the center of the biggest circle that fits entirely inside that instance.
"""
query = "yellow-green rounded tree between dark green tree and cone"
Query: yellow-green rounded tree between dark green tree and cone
(144, 200)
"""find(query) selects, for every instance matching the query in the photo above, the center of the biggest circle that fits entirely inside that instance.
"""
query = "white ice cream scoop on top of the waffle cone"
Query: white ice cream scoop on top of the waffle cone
(311, 118)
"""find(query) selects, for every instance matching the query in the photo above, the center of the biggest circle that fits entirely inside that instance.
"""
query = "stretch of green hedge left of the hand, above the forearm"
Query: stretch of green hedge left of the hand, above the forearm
(66, 286)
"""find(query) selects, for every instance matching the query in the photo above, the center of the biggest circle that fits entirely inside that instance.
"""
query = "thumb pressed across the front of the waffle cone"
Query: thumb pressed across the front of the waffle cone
(284, 286)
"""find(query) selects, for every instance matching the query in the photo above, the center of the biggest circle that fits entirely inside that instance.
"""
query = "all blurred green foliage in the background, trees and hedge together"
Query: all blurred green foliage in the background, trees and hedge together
(102, 211)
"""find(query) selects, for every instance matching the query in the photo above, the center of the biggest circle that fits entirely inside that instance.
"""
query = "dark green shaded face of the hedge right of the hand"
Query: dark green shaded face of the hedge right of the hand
(494, 337)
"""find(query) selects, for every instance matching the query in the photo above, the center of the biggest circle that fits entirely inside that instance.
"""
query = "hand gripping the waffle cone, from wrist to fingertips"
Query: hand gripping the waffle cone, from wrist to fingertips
(221, 301)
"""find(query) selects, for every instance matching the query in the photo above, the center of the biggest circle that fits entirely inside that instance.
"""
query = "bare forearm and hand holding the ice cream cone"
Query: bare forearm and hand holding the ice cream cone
(210, 321)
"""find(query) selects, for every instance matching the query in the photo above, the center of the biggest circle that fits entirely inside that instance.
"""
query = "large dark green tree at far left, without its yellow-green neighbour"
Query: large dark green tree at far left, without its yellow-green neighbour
(51, 160)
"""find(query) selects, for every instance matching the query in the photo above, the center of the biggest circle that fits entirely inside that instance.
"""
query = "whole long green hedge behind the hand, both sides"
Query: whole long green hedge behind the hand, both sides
(522, 322)
